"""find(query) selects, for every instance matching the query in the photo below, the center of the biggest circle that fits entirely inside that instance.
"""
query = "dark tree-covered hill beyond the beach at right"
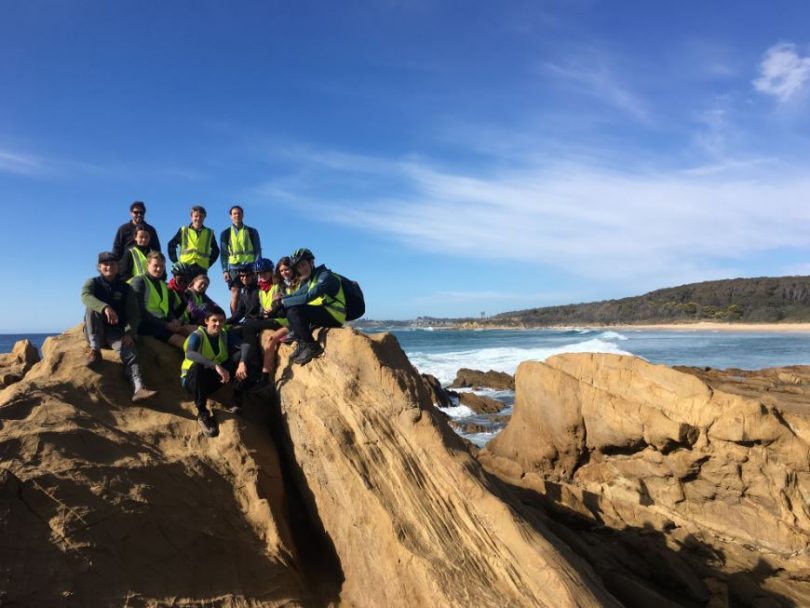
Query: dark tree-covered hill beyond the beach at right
(757, 300)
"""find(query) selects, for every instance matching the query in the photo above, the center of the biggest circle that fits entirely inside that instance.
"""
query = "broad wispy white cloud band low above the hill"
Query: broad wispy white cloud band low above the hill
(636, 228)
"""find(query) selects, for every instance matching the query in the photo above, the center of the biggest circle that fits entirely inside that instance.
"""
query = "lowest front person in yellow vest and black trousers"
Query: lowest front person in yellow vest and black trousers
(207, 366)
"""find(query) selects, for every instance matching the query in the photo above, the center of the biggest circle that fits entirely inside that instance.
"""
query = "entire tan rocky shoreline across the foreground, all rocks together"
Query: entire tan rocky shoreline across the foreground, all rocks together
(616, 482)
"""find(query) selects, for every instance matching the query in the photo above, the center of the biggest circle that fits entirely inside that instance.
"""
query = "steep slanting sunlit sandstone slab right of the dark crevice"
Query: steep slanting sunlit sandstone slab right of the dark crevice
(411, 516)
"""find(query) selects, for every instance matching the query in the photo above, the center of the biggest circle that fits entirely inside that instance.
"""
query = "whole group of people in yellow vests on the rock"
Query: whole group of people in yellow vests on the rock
(131, 297)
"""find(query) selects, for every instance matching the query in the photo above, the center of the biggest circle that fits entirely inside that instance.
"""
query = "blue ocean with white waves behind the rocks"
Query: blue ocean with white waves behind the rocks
(442, 352)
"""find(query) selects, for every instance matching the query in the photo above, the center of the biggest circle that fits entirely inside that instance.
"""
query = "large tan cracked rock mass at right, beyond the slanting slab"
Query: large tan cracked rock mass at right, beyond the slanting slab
(703, 477)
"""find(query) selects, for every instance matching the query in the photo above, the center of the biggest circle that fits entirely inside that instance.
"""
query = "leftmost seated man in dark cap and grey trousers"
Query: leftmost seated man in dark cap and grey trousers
(110, 320)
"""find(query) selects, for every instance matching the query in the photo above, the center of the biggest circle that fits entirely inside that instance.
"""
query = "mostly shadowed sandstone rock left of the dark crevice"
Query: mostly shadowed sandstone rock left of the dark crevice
(104, 503)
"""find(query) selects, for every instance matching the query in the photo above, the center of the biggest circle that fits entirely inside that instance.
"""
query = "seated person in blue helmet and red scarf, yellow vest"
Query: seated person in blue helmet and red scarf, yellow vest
(269, 293)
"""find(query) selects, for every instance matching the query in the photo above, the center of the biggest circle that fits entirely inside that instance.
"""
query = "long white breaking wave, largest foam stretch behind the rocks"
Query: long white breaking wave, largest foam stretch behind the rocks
(503, 359)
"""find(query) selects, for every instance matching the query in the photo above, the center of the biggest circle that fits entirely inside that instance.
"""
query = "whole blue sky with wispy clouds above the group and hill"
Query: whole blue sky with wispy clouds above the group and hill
(454, 157)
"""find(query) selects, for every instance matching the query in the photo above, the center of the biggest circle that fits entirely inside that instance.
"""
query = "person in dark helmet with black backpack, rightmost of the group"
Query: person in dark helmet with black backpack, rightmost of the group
(318, 302)
